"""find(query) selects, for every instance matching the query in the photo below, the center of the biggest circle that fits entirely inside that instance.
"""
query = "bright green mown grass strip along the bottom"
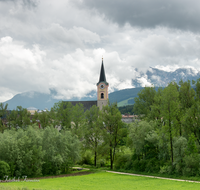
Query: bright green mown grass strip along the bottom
(104, 181)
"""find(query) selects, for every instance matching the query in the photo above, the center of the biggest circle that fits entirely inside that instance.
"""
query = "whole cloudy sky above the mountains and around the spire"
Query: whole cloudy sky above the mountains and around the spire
(59, 44)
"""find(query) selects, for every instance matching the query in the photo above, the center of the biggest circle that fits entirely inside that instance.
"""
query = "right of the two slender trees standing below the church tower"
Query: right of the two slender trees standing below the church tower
(113, 129)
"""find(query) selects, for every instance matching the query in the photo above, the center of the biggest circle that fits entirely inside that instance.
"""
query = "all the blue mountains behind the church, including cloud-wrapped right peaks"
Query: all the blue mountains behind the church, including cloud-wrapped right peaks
(155, 76)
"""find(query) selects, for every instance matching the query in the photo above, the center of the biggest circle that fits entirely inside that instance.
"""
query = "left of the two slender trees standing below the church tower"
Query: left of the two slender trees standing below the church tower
(92, 131)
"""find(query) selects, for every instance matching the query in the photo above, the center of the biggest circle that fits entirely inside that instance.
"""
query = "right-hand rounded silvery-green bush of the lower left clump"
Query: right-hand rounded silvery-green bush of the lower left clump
(61, 150)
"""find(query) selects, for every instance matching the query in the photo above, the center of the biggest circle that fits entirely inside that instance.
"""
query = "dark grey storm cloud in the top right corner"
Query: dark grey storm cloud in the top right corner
(181, 14)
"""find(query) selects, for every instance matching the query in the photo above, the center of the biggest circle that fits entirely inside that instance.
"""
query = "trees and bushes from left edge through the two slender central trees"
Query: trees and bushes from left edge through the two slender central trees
(67, 135)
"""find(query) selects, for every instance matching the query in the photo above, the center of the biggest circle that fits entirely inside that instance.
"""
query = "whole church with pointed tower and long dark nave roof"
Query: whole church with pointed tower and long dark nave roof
(102, 93)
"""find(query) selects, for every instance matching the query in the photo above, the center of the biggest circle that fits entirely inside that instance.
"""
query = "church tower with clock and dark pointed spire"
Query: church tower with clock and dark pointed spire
(102, 89)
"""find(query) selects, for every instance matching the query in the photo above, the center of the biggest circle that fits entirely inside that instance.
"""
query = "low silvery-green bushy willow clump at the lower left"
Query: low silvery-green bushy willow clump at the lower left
(34, 152)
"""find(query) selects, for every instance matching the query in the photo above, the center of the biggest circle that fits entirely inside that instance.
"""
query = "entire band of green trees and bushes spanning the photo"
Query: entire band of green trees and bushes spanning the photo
(165, 138)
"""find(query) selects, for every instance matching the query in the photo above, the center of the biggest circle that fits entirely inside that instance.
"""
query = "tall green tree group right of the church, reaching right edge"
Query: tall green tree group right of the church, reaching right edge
(167, 139)
